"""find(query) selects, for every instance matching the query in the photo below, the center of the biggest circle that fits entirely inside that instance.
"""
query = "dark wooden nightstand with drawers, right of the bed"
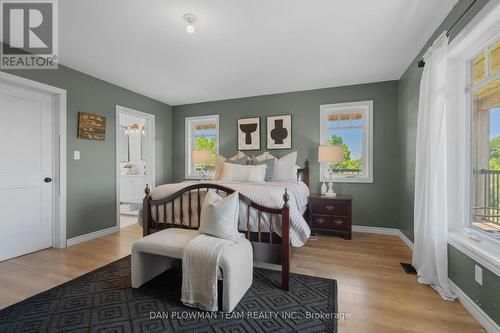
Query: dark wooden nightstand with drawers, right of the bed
(332, 215)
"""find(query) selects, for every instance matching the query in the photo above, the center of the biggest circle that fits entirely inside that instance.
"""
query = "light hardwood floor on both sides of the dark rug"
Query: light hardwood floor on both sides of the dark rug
(373, 288)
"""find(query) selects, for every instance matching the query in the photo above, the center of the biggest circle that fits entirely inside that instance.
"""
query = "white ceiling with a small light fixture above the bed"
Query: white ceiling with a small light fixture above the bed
(243, 47)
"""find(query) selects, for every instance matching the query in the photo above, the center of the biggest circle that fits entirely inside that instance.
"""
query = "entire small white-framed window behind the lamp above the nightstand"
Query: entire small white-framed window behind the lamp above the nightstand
(349, 125)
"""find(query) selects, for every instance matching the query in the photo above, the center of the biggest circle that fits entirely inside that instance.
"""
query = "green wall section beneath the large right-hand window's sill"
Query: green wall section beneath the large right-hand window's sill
(461, 272)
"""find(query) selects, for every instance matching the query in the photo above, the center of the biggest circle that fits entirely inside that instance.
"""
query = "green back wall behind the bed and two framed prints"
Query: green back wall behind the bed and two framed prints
(373, 203)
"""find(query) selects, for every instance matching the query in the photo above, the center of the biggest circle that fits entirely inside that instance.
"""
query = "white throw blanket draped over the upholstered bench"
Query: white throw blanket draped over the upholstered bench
(199, 271)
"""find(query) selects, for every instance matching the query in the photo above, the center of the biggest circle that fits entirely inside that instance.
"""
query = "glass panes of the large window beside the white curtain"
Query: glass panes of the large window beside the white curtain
(485, 98)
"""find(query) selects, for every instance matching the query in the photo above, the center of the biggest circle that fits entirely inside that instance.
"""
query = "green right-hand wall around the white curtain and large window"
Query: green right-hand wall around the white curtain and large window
(460, 266)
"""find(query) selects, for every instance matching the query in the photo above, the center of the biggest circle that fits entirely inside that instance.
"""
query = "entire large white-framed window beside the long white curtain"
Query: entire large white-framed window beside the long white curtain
(471, 126)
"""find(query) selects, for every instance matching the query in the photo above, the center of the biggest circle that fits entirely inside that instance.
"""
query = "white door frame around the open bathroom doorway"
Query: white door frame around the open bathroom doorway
(151, 167)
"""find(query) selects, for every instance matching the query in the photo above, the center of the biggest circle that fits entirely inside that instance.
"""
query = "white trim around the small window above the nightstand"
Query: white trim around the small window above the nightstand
(367, 108)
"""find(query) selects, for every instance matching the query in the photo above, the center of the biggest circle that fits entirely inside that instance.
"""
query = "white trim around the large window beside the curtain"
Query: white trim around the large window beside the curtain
(478, 245)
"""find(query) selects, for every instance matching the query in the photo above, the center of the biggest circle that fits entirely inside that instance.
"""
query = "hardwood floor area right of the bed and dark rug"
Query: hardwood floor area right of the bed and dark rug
(375, 290)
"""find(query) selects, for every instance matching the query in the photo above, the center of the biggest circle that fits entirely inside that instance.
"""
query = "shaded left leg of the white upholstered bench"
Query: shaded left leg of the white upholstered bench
(146, 266)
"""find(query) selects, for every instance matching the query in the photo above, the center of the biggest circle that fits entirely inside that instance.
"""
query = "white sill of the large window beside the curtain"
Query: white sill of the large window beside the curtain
(485, 251)
